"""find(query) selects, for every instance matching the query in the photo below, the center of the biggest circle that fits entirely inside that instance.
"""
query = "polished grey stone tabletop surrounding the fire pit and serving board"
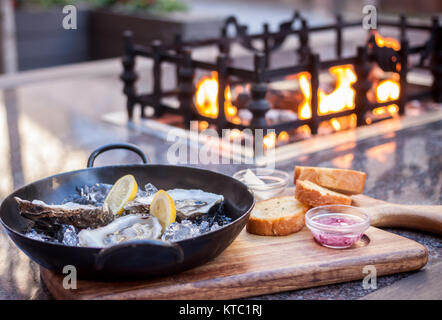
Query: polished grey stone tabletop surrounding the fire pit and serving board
(51, 125)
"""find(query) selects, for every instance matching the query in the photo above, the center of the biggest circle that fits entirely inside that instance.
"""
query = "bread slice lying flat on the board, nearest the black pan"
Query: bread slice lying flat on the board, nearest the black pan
(277, 217)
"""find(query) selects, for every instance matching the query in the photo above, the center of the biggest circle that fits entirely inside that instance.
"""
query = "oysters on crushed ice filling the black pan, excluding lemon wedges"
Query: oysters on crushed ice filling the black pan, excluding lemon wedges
(81, 219)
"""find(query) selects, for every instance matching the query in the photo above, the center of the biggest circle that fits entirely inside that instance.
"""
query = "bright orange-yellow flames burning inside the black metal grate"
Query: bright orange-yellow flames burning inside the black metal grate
(340, 99)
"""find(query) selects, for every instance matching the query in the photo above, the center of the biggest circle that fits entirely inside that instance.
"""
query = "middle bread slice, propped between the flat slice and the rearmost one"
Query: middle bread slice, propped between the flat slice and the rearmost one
(310, 193)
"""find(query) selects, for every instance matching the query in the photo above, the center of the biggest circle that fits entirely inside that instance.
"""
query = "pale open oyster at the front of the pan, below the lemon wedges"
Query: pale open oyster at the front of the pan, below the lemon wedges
(129, 227)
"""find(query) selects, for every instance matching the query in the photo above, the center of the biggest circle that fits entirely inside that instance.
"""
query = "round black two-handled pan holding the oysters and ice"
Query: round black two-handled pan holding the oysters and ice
(135, 259)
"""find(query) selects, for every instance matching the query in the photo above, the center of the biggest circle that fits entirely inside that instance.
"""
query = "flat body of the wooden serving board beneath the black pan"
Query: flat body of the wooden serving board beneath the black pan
(255, 265)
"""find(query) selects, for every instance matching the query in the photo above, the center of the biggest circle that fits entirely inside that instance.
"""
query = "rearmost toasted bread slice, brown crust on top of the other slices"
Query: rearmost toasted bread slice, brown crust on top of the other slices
(340, 180)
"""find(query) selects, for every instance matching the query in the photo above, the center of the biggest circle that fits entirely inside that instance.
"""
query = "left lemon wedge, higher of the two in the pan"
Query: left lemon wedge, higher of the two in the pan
(123, 191)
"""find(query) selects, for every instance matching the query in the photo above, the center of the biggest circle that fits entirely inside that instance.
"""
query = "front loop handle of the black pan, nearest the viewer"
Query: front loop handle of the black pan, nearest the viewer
(133, 257)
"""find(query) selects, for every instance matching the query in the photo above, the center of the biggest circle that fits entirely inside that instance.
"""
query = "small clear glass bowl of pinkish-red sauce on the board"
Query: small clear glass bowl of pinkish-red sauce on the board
(337, 226)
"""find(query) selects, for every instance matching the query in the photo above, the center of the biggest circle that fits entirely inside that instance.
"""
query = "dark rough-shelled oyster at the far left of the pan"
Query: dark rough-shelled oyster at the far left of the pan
(53, 216)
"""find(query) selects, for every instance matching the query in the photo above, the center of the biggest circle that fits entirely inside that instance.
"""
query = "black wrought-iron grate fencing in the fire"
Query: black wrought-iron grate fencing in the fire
(428, 56)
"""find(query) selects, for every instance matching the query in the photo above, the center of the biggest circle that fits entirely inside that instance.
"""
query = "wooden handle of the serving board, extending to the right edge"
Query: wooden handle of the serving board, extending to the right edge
(385, 214)
